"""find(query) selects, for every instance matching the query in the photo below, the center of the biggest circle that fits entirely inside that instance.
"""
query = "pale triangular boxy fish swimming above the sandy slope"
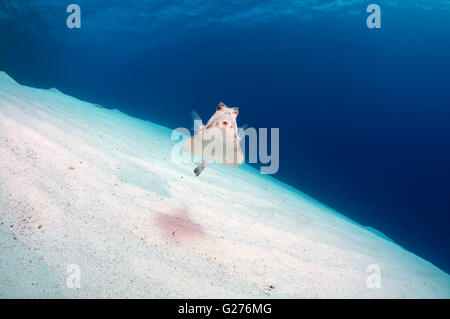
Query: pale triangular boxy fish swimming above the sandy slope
(218, 140)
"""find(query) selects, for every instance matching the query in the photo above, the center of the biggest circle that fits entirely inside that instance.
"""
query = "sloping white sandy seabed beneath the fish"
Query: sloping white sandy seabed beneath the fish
(92, 187)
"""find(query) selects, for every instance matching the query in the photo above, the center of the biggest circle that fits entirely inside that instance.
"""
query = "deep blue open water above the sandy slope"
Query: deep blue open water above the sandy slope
(363, 113)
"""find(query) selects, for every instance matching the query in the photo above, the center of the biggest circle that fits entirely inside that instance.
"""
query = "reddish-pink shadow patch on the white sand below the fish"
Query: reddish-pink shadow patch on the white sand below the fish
(179, 226)
